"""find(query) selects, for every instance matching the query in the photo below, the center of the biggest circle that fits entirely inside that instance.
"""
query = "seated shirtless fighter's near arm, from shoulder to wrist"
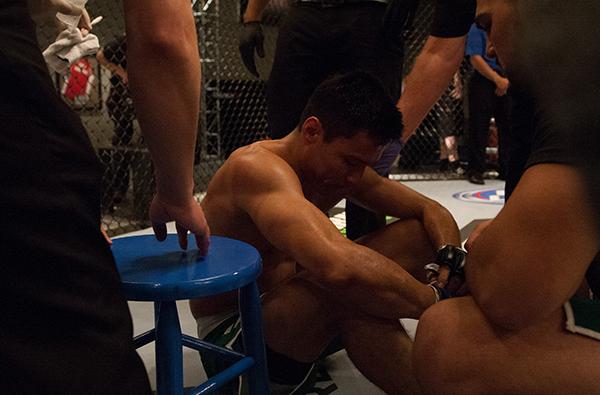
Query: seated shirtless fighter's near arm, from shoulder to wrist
(273, 198)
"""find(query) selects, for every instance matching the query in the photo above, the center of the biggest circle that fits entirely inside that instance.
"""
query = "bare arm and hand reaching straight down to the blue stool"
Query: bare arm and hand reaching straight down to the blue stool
(164, 75)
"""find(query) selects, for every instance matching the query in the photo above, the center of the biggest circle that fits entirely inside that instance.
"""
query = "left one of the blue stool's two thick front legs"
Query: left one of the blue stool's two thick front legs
(169, 354)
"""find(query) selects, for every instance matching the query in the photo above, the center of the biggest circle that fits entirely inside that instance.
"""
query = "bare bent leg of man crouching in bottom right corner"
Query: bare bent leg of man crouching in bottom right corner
(458, 352)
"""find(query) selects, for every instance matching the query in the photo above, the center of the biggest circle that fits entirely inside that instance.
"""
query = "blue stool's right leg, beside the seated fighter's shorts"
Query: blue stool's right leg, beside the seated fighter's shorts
(252, 331)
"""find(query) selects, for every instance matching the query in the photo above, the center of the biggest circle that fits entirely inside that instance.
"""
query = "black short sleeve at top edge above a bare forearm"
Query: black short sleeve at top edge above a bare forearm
(452, 18)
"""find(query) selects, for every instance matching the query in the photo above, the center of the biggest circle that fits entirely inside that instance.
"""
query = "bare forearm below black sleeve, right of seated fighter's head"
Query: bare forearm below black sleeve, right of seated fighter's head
(428, 79)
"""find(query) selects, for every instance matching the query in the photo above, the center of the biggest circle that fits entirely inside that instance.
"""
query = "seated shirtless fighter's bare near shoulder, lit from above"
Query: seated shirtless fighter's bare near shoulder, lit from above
(260, 165)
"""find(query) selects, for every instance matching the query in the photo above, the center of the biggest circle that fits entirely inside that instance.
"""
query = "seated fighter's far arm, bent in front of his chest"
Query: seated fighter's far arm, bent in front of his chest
(388, 197)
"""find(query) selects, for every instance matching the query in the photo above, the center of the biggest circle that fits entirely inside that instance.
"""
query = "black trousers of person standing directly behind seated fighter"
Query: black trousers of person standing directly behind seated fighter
(315, 43)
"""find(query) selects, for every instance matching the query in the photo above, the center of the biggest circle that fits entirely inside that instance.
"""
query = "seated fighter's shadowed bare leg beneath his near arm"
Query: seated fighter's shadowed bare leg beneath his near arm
(301, 319)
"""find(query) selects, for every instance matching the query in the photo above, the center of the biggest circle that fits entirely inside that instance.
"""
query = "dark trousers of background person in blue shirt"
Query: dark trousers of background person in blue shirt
(483, 105)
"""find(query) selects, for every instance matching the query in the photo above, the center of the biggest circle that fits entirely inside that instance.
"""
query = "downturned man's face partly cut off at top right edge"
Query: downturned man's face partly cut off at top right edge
(499, 18)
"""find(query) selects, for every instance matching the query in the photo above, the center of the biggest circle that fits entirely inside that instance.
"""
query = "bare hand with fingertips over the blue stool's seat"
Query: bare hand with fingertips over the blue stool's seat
(188, 217)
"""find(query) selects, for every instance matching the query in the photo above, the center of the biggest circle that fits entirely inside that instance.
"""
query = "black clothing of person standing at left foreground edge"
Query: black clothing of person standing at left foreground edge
(65, 326)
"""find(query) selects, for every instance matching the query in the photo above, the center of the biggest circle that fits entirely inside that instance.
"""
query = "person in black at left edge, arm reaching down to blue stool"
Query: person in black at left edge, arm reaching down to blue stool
(66, 328)
